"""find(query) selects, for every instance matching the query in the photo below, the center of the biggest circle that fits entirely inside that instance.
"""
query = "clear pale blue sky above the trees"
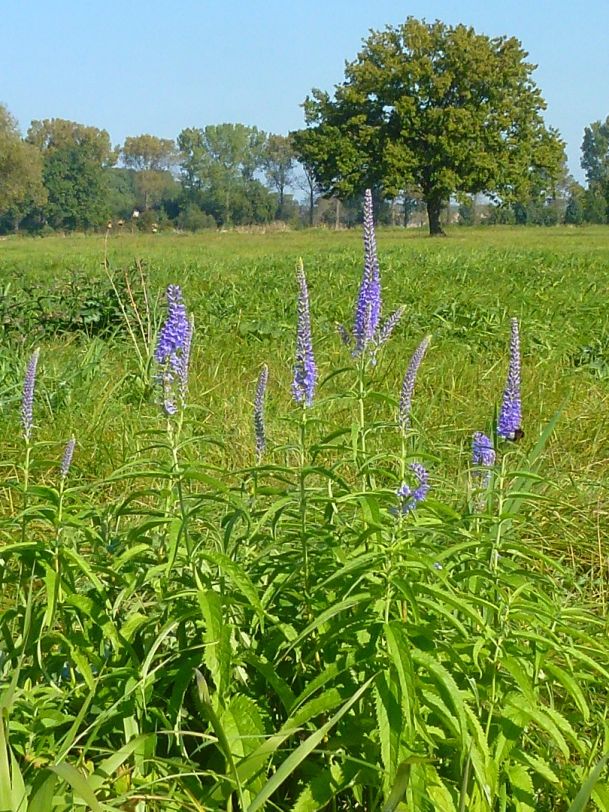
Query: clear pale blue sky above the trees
(156, 67)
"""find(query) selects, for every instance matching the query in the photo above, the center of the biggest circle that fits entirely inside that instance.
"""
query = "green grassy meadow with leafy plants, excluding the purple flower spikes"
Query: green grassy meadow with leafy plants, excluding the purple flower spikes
(185, 629)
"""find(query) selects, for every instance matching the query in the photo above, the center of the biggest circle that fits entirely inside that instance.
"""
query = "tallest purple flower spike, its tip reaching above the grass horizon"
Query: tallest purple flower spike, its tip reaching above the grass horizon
(368, 308)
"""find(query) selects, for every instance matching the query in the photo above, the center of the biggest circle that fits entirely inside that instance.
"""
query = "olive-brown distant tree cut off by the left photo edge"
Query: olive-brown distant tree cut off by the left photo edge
(21, 187)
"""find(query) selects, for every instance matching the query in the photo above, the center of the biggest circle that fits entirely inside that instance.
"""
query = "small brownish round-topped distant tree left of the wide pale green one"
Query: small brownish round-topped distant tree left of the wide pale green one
(153, 160)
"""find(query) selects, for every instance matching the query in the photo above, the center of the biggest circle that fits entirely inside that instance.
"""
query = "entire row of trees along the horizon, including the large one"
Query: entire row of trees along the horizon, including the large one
(443, 123)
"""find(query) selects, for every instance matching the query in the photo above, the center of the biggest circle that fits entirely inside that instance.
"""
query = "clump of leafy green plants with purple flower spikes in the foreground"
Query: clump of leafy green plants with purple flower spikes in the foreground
(306, 651)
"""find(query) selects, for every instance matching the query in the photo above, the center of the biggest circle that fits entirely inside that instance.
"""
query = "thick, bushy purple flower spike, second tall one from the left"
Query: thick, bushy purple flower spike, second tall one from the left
(173, 351)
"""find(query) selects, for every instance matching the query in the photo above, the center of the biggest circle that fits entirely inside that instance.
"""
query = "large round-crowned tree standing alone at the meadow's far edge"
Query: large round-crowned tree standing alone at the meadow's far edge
(440, 108)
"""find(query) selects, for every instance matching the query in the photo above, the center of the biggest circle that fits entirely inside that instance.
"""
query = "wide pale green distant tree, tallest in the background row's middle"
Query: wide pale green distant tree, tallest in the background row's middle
(221, 159)
